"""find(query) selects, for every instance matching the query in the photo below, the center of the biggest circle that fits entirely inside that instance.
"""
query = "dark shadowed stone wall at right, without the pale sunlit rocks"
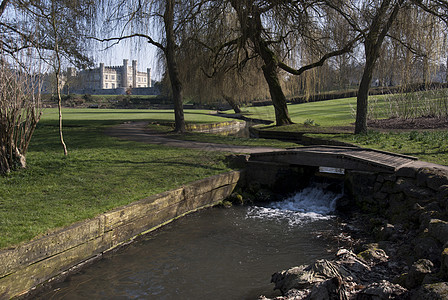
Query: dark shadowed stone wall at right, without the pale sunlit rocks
(409, 206)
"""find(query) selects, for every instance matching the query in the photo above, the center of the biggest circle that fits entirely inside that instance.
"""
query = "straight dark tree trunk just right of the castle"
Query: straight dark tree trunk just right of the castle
(173, 71)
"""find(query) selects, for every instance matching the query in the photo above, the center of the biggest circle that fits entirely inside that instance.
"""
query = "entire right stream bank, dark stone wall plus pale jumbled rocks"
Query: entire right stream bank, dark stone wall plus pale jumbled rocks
(401, 220)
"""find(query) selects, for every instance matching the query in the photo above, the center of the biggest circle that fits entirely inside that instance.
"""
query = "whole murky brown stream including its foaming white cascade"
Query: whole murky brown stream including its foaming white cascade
(212, 254)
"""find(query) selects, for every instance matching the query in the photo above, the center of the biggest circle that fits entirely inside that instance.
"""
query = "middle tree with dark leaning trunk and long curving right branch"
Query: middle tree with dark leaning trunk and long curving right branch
(272, 32)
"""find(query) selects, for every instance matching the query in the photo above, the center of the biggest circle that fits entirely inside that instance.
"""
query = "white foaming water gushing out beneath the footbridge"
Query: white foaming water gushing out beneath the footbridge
(311, 204)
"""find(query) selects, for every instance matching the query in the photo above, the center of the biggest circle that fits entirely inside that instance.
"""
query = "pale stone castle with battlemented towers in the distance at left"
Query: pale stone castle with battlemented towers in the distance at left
(110, 80)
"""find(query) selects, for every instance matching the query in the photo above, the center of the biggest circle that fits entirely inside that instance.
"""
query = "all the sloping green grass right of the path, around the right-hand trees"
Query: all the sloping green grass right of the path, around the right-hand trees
(339, 116)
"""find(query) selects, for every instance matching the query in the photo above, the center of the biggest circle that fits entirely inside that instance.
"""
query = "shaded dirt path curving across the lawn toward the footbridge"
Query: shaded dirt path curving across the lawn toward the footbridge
(138, 132)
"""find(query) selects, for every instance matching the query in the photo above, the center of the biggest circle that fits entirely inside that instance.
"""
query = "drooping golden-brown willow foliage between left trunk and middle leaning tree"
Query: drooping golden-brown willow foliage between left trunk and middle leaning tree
(213, 76)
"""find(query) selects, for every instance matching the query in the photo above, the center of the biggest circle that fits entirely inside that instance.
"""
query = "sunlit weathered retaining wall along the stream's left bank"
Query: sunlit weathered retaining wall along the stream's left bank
(29, 265)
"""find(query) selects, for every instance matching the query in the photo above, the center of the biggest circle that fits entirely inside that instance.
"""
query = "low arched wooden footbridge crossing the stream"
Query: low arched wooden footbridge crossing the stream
(349, 158)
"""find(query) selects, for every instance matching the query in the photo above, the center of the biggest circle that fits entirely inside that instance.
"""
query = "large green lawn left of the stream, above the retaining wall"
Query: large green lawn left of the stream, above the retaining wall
(99, 174)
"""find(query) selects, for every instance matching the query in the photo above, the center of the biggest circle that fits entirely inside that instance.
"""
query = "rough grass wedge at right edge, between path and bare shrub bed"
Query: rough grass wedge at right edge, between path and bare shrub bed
(430, 146)
